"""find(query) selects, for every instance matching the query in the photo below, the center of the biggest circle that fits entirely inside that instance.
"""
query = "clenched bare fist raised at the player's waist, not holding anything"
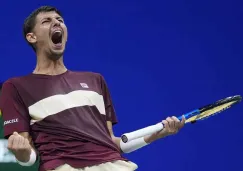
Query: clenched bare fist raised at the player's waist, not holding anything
(20, 147)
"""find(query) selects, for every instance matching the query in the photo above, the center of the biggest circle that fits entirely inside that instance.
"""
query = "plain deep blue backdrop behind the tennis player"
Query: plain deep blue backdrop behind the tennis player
(159, 58)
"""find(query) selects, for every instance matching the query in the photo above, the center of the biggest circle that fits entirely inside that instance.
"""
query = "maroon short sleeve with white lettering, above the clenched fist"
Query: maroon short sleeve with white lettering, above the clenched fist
(14, 113)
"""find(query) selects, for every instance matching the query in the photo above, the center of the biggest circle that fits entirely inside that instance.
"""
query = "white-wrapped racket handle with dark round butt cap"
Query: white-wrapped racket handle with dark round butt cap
(141, 132)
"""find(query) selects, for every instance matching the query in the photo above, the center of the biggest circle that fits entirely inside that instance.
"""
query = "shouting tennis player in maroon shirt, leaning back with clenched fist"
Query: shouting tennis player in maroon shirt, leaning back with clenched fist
(62, 116)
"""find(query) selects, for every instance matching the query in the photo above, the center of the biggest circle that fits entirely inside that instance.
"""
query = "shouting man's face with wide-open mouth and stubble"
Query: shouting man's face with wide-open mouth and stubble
(50, 34)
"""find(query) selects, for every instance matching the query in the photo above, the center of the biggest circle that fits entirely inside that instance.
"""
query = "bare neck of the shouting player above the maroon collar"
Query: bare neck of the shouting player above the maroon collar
(49, 67)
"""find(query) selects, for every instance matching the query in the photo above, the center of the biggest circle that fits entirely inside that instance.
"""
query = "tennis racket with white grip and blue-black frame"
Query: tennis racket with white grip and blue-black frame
(191, 117)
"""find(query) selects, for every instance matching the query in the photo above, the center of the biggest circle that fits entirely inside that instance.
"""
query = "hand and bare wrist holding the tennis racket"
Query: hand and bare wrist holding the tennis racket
(171, 126)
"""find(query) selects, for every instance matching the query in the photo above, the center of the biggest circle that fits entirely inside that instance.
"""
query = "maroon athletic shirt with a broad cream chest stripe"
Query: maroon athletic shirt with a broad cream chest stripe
(66, 115)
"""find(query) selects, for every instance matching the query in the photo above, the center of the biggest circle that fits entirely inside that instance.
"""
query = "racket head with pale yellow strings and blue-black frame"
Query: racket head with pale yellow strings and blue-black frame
(212, 109)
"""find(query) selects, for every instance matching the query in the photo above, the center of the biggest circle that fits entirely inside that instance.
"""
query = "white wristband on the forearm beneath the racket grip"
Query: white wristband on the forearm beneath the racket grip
(132, 145)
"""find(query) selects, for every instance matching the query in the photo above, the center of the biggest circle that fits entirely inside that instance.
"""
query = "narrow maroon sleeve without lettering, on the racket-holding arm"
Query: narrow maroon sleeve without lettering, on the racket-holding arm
(109, 108)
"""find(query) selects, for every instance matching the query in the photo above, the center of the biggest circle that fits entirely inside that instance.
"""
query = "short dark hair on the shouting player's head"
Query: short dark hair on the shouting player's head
(30, 21)
